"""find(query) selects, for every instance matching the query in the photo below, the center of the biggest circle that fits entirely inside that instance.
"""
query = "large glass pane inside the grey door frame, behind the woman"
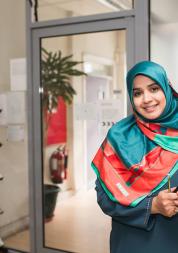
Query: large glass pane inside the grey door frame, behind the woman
(72, 132)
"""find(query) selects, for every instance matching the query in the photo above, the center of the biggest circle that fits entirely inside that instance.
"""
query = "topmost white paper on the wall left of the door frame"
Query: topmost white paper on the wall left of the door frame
(18, 74)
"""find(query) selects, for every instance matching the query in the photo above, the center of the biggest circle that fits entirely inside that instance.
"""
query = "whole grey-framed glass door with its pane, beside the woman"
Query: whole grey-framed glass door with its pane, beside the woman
(79, 92)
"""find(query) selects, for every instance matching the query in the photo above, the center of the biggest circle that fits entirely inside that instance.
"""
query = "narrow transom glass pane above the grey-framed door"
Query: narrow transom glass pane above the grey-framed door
(56, 9)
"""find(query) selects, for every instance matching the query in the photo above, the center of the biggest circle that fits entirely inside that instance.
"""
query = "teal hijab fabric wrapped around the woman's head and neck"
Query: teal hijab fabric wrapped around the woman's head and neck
(169, 117)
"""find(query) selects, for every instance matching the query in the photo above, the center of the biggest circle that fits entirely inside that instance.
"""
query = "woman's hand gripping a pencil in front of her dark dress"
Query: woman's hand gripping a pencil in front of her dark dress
(165, 203)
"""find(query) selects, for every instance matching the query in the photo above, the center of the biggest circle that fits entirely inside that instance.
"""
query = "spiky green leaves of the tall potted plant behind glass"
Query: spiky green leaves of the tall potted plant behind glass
(56, 73)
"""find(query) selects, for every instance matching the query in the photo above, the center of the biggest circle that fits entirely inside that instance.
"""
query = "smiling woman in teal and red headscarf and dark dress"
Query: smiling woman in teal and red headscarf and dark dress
(136, 163)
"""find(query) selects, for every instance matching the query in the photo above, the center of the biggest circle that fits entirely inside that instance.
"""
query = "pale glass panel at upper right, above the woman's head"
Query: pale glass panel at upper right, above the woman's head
(164, 36)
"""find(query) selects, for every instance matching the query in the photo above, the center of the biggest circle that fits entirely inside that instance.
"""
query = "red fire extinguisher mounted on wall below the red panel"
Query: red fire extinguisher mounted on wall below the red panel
(58, 165)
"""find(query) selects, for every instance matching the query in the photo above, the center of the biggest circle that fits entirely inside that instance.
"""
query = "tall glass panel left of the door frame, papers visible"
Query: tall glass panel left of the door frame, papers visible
(14, 201)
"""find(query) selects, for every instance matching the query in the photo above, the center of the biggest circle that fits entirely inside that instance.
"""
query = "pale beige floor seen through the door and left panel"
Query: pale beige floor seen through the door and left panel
(78, 226)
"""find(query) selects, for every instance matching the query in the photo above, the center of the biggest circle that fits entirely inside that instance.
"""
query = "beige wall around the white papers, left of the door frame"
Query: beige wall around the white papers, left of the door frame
(13, 155)
